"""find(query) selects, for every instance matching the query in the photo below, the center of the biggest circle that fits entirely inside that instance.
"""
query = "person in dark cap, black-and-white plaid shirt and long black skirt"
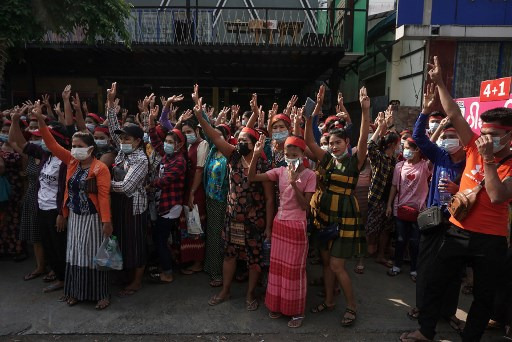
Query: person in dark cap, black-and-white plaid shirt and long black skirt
(128, 194)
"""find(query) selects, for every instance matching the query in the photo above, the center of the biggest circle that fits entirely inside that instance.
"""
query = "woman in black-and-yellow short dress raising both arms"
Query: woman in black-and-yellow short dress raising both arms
(335, 204)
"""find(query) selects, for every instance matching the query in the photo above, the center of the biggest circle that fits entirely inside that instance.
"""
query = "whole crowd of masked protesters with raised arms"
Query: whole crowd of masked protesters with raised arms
(269, 191)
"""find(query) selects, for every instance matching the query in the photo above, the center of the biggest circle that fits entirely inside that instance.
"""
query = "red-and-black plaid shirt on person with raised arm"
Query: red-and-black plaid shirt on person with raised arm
(171, 180)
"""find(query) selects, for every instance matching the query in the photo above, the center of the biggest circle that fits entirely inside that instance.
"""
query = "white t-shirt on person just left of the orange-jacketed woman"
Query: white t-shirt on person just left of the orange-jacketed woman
(49, 184)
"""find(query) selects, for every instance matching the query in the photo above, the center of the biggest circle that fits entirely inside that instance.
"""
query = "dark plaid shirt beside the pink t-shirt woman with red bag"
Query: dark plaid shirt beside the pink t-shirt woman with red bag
(382, 173)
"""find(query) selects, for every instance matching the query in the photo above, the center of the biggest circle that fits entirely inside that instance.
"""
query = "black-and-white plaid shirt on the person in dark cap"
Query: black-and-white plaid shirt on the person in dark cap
(136, 164)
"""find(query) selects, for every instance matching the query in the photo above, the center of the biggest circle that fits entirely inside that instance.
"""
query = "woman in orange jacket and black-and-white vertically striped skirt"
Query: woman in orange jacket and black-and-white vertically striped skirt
(88, 210)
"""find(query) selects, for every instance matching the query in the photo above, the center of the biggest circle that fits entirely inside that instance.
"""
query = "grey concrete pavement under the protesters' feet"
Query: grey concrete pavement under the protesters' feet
(179, 312)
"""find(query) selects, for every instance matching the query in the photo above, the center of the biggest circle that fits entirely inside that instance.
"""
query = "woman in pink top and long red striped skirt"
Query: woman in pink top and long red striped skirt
(287, 284)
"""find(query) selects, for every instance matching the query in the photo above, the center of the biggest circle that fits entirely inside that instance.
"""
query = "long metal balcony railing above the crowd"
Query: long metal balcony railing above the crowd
(236, 26)
